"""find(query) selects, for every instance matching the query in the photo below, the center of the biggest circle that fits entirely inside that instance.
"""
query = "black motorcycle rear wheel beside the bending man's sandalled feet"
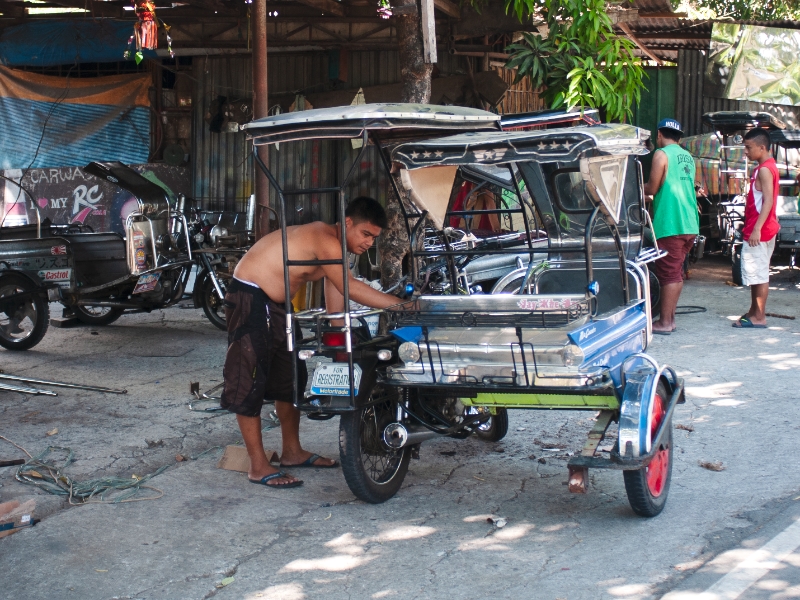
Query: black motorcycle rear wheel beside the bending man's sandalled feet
(373, 471)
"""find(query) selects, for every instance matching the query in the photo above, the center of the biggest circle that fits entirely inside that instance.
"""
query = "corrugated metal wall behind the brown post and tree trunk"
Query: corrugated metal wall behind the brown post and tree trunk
(221, 162)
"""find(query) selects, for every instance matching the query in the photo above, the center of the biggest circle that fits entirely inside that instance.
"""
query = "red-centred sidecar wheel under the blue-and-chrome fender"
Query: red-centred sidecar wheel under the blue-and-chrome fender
(648, 487)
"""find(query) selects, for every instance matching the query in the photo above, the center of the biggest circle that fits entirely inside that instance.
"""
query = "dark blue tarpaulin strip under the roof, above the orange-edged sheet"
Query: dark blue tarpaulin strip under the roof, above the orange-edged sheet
(49, 42)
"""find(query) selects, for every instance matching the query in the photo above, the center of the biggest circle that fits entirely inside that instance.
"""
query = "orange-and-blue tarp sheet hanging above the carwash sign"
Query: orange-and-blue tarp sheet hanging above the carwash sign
(62, 121)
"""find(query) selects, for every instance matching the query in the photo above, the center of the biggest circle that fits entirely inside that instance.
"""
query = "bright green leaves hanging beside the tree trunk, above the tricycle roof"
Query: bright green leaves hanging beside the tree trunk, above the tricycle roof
(580, 61)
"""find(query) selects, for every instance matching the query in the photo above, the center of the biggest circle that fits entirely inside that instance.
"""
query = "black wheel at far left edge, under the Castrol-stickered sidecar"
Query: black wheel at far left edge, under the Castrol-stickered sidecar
(26, 322)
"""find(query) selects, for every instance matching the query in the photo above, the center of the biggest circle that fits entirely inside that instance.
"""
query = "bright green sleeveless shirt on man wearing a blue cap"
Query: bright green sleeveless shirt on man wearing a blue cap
(675, 204)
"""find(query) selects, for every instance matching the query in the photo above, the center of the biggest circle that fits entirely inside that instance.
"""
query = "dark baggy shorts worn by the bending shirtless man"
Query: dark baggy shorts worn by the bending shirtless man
(257, 364)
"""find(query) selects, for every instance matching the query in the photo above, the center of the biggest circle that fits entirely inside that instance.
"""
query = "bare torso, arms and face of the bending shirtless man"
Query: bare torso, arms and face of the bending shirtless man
(263, 263)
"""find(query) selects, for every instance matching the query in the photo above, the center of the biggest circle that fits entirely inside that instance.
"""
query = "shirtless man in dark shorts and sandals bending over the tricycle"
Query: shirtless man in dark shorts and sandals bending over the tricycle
(257, 365)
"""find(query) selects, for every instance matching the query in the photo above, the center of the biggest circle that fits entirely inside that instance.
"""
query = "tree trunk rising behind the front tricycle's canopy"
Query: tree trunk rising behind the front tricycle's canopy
(415, 76)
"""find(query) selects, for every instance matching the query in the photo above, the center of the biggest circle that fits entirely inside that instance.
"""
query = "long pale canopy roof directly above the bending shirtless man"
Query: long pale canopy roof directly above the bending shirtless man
(352, 121)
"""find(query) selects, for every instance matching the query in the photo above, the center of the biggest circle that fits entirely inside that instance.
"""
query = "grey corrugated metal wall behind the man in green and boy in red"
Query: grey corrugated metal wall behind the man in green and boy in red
(691, 104)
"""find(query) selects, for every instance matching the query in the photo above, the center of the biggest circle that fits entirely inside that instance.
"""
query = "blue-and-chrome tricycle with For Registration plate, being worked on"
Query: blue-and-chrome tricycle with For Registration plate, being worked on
(570, 334)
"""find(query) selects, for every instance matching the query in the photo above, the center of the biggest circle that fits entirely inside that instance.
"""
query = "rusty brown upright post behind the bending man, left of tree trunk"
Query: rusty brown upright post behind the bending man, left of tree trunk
(260, 110)
